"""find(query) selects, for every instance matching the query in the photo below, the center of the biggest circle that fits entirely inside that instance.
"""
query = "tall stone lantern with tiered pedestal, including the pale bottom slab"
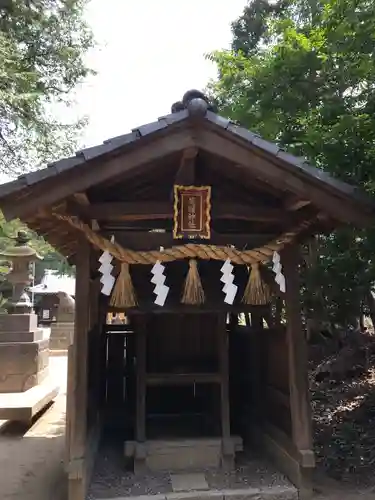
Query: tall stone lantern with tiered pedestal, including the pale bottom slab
(24, 352)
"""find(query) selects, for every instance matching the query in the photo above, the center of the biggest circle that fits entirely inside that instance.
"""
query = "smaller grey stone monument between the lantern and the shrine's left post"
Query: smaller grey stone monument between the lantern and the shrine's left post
(62, 331)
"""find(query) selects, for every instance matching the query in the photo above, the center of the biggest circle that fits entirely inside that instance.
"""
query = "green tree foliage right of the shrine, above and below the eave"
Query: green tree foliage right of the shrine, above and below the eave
(302, 73)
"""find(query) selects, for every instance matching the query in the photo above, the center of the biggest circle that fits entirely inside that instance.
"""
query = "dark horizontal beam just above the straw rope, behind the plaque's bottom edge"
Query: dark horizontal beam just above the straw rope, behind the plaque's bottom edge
(142, 240)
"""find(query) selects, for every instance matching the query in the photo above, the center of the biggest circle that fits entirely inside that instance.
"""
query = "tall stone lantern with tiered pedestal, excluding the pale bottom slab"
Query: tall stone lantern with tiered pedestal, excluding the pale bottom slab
(24, 353)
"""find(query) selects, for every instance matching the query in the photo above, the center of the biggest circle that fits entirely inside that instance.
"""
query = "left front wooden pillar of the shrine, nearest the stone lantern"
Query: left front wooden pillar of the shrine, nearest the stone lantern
(77, 380)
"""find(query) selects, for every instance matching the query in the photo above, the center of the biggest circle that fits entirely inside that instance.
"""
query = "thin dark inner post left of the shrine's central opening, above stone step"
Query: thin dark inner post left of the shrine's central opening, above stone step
(140, 449)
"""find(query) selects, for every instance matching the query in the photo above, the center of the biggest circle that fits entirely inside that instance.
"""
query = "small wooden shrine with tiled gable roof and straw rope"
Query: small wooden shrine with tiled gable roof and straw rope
(202, 221)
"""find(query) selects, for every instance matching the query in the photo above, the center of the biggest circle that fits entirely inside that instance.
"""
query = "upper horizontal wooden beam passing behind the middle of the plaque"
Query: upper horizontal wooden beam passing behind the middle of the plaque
(155, 210)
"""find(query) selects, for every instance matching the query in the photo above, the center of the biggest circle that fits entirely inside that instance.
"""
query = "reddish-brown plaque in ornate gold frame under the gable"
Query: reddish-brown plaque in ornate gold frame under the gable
(192, 212)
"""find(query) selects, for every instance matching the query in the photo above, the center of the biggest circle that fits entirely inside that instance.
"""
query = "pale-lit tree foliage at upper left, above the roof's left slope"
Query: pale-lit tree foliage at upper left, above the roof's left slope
(42, 49)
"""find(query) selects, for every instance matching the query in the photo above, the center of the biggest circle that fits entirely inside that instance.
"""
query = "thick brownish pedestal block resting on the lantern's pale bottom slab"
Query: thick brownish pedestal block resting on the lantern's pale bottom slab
(23, 365)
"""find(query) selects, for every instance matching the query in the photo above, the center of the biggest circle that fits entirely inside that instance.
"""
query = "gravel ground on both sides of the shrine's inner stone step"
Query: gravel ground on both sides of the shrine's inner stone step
(111, 478)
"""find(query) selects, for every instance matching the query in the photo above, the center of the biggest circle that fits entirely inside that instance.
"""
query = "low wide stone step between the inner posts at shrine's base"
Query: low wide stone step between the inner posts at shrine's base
(179, 454)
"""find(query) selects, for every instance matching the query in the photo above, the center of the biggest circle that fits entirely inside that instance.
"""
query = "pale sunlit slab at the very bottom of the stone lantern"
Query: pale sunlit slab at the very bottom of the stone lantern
(23, 406)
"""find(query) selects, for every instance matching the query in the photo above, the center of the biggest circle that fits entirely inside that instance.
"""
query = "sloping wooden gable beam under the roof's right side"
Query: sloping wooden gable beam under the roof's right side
(256, 164)
